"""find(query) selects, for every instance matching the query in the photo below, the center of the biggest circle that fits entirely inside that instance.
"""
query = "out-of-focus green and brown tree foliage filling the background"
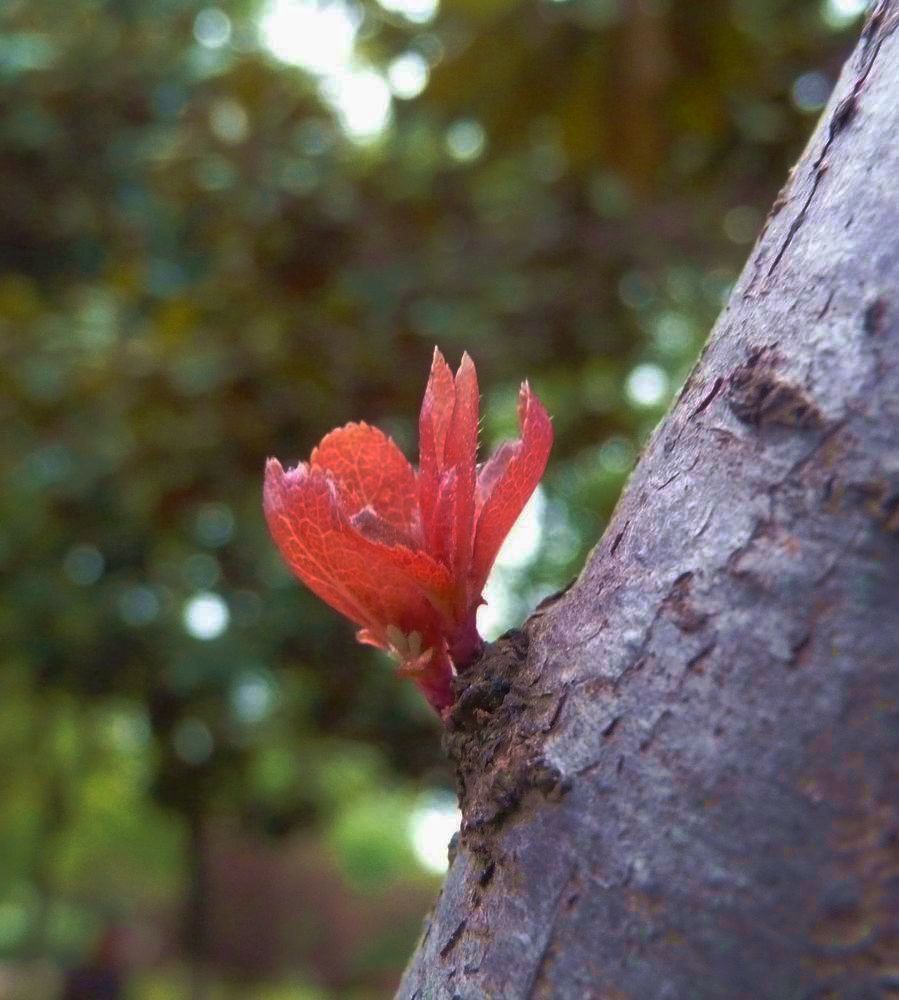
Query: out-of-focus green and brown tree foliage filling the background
(200, 267)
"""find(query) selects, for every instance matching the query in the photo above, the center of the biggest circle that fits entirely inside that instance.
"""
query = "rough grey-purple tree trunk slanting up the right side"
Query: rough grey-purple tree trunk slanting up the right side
(681, 779)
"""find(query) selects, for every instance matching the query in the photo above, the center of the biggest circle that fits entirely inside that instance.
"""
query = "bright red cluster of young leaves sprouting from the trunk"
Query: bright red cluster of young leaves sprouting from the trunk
(405, 557)
